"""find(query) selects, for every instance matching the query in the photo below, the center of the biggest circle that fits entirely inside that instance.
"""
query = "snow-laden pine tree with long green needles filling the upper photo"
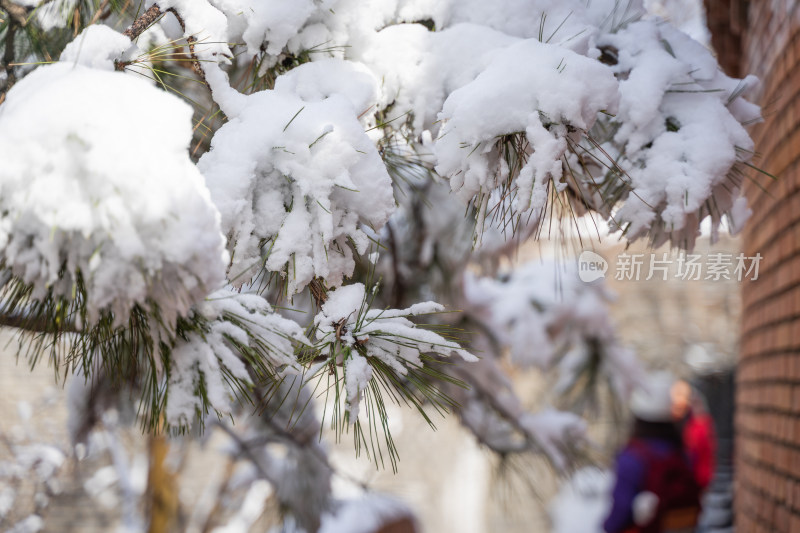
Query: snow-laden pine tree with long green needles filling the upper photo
(230, 210)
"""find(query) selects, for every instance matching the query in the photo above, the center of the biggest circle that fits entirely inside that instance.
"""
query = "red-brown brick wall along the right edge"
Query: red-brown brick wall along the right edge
(767, 457)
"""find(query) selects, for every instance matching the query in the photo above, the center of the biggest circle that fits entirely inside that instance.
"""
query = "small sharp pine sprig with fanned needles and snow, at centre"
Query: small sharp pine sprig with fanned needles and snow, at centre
(369, 350)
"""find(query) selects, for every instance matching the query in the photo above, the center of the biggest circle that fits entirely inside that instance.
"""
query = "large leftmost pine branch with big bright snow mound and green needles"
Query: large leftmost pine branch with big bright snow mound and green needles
(110, 235)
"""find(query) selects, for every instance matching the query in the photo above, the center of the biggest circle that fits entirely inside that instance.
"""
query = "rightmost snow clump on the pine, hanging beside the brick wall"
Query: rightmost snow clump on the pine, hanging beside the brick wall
(679, 134)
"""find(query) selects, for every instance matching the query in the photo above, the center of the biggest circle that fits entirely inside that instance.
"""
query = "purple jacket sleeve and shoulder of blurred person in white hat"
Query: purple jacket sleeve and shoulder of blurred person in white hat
(631, 475)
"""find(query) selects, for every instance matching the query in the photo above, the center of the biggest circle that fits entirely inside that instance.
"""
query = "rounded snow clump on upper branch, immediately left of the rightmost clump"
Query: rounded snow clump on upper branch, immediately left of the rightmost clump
(536, 90)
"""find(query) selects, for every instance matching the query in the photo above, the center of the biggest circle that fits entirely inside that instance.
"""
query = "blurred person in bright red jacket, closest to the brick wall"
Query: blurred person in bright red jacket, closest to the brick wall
(697, 429)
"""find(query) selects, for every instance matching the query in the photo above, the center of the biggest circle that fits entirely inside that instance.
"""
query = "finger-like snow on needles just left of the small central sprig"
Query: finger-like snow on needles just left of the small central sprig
(213, 358)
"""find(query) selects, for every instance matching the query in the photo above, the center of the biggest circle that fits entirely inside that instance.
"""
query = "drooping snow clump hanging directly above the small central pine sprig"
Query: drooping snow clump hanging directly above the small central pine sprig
(296, 180)
